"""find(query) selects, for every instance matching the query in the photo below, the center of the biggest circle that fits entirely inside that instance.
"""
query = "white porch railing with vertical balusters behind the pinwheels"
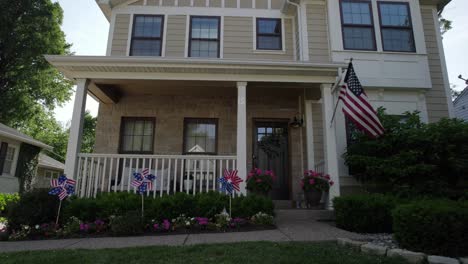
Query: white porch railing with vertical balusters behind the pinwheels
(174, 173)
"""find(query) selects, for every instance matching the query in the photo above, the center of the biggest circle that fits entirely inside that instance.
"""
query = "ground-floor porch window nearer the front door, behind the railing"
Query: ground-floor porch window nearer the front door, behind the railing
(200, 136)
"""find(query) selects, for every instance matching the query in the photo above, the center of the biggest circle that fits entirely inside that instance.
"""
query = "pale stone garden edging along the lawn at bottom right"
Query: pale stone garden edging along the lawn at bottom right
(410, 256)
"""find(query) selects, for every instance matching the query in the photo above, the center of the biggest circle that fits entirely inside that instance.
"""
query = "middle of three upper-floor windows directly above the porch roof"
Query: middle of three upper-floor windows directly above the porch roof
(204, 37)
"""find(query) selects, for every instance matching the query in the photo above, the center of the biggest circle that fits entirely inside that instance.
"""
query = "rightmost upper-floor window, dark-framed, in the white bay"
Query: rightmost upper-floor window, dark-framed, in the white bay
(396, 27)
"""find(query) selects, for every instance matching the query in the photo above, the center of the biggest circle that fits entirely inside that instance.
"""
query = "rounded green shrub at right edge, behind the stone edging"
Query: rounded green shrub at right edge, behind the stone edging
(437, 227)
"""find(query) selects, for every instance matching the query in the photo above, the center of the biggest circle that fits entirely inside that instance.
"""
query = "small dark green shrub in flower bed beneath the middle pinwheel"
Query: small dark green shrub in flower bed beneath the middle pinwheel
(128, 224)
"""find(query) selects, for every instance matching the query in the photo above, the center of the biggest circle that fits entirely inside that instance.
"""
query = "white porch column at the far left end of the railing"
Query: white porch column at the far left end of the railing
(76, 128)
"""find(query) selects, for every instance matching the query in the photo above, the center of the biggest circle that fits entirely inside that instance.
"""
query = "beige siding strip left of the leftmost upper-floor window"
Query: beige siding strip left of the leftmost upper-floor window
(120, 36)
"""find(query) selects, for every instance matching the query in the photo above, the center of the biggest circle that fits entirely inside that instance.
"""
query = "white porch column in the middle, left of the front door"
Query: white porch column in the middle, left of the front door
(242, 133)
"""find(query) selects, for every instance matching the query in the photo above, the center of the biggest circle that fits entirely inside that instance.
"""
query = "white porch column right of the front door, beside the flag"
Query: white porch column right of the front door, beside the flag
(331, 155)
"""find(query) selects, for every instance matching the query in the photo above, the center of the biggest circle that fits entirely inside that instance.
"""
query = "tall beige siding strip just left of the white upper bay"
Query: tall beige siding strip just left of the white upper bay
(317, 31)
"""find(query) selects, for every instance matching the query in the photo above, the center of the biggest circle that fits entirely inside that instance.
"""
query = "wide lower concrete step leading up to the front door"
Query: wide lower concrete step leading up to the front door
(305, 214)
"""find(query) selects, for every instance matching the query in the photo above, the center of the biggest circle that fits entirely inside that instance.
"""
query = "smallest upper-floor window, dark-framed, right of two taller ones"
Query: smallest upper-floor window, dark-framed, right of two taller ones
(269, 34)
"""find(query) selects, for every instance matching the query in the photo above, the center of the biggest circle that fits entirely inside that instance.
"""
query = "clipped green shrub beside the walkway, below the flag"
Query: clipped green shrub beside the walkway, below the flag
(365, 213)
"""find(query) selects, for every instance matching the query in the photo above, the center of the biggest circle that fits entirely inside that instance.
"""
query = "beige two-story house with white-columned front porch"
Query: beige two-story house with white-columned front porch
(189, 88)
